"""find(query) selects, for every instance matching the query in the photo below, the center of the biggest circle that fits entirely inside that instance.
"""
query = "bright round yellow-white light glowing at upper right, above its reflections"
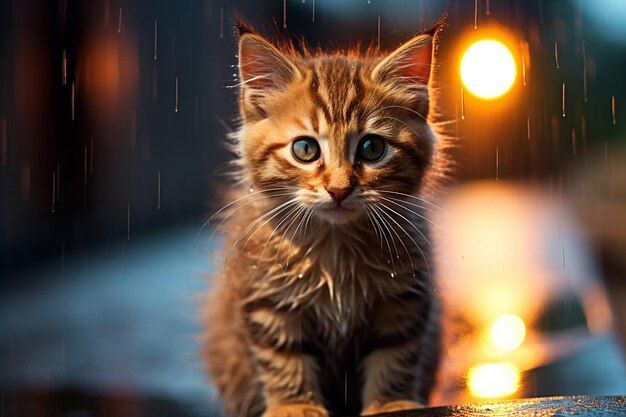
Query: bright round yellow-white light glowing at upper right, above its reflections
(488, 69)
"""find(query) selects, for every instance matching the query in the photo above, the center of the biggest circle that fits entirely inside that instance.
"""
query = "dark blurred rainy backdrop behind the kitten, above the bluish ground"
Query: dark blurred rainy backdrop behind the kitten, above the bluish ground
(113, 110)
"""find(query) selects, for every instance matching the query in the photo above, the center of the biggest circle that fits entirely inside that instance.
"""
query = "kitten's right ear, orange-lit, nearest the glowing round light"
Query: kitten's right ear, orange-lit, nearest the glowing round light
(410, 62)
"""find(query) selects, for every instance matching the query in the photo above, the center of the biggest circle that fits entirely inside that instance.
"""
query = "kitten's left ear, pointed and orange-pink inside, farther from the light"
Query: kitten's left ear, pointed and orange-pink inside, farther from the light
(263, 69)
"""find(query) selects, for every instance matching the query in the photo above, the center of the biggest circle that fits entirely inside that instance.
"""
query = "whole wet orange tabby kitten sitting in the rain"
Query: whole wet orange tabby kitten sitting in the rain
(324, 304)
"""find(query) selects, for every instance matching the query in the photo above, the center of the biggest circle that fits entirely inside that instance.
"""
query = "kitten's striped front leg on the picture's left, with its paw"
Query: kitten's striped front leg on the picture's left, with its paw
(287, 363)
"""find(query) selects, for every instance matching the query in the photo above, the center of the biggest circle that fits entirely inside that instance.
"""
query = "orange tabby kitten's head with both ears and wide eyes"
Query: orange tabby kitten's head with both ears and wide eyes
(337, 133)
